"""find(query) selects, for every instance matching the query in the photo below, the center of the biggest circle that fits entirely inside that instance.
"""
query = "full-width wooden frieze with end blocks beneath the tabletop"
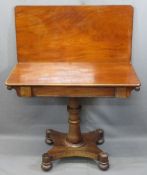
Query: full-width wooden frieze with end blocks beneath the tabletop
(72, 91)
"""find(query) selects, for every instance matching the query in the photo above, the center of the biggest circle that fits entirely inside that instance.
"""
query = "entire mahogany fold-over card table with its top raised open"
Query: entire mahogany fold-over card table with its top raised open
(74, 52)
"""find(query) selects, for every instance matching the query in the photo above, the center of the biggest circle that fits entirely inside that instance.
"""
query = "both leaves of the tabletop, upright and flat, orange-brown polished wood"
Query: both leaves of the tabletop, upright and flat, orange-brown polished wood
(74, 46)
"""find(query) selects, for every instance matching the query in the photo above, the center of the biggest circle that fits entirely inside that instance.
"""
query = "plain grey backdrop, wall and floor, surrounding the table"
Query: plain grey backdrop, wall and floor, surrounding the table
(23, 120)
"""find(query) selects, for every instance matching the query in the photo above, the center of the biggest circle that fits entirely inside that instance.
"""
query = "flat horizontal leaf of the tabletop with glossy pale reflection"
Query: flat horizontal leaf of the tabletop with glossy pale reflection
(73, 74)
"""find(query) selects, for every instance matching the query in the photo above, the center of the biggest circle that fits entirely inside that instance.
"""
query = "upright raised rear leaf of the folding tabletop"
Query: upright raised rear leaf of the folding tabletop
(69, 33)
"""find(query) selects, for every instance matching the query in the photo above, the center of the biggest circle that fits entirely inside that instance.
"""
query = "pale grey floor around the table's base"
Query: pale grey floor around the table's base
(22, 155)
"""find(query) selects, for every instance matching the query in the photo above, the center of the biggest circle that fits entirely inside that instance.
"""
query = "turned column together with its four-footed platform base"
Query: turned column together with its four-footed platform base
(74, 143)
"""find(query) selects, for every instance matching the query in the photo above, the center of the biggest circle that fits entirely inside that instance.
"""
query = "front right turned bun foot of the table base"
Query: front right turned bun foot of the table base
(103, 161)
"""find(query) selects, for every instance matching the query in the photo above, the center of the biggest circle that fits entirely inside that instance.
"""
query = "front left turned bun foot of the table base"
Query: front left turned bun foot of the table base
(46, 162)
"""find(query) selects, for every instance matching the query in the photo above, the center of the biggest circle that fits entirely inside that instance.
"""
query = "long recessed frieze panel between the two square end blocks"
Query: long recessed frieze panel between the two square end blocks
(72, 91)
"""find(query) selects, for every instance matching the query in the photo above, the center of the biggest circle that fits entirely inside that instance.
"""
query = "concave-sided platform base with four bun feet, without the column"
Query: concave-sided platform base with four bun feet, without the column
(62, 149)
